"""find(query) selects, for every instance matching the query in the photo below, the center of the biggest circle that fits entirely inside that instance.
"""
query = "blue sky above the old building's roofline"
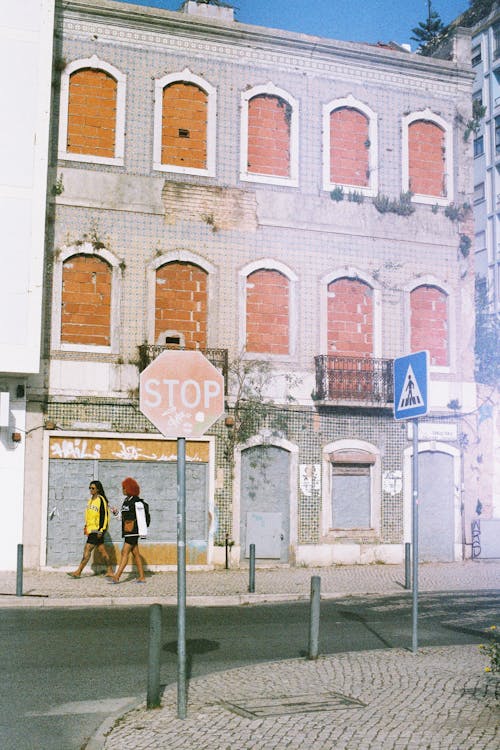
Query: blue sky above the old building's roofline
(351, 20)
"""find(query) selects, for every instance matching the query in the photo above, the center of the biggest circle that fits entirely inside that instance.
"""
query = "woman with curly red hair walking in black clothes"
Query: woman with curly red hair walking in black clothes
(135, 520)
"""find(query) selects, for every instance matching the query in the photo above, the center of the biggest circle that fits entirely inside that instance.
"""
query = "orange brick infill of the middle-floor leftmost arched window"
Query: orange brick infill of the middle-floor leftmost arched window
(86, 301)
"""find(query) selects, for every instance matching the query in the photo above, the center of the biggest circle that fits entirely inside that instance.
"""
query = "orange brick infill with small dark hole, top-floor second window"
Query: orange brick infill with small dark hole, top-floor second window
(184, 125)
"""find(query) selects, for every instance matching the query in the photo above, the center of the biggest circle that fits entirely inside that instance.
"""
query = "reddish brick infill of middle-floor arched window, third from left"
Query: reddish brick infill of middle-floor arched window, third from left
(267, 312)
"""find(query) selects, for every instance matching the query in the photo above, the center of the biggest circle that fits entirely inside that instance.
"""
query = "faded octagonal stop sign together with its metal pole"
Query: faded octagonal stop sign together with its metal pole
(182, 394)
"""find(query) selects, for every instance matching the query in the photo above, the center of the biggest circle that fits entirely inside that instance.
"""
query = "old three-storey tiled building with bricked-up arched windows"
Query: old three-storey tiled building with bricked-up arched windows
(295, 207)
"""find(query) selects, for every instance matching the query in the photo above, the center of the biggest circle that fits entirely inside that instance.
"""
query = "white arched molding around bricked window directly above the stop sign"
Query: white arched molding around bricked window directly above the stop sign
(176, 256)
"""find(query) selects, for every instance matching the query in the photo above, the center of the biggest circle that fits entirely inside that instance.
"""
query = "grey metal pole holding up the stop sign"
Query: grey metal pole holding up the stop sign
(181, 578)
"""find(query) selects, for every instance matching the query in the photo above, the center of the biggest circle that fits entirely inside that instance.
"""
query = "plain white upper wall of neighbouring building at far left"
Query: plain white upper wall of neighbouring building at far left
(26, 33)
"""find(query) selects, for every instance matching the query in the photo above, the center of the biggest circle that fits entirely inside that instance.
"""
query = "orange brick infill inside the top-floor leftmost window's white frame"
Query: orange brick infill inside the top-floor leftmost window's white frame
(92, 113)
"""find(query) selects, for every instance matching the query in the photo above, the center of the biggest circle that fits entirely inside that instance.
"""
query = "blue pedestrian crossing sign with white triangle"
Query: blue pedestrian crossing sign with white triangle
(411, 385)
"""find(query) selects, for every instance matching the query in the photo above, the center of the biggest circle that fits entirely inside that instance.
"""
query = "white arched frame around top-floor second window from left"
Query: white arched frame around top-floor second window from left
(185, 77)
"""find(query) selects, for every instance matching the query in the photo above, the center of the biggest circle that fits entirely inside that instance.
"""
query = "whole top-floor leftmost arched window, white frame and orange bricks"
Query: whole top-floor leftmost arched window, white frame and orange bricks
(92, 122)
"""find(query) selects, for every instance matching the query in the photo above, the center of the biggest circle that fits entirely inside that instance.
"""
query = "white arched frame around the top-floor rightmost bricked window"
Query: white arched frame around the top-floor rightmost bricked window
(449, 190)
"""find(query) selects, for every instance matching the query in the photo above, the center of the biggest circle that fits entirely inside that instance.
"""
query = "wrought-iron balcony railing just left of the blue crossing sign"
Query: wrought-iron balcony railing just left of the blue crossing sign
(363, 381)
